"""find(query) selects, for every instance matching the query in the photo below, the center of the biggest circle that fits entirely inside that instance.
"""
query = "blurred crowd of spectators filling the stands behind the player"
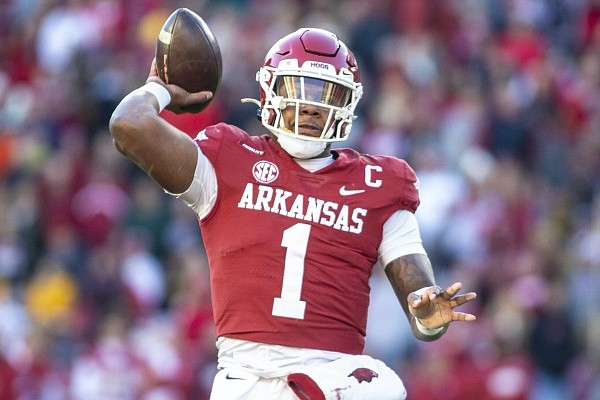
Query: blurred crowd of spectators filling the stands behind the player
(104, 289)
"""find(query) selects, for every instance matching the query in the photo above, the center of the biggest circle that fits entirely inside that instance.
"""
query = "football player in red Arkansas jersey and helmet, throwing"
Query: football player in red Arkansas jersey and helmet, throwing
(292, 228)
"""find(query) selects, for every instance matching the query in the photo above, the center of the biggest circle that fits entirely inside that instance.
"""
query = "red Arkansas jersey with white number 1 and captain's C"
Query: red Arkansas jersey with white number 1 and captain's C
(291, 251)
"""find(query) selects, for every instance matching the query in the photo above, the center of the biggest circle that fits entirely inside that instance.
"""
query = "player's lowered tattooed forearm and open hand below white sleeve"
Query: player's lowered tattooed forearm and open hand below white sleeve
(428, 308)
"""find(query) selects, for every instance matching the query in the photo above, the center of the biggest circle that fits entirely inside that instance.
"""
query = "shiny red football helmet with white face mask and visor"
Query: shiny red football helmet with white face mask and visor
(310, 66)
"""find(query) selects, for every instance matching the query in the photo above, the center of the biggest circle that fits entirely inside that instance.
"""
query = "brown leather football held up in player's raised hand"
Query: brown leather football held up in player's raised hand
(188, 54)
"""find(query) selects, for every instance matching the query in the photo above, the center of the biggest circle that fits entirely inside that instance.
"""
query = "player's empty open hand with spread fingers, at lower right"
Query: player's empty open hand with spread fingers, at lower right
(435, 307)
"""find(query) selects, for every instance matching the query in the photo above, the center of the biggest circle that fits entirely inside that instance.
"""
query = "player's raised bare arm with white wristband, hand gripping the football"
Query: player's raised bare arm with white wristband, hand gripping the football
(164, 152)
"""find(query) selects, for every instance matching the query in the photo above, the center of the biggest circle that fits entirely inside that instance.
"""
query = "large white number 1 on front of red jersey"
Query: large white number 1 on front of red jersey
(295, 240)
